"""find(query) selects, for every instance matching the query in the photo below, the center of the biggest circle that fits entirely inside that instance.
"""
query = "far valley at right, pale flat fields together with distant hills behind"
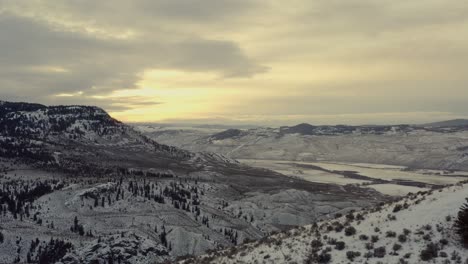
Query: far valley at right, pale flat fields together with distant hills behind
(417, 158)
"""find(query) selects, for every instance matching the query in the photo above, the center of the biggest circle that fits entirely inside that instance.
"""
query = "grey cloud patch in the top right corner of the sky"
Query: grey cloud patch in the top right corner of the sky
(377, 17)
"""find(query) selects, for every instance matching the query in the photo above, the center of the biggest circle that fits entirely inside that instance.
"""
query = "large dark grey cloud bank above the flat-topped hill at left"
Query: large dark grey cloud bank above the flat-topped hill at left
(41, 60)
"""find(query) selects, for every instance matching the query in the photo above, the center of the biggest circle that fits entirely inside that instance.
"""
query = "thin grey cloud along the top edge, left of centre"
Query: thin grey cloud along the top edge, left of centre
(150, 13)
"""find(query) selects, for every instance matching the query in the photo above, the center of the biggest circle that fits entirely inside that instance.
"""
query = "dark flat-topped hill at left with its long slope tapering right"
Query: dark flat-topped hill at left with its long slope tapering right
(76, 138)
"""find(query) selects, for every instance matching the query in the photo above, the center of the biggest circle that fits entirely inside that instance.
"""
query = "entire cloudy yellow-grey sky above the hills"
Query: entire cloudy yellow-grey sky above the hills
(240, 61)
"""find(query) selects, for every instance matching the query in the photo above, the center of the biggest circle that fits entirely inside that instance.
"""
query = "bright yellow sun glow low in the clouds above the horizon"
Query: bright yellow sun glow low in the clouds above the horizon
(176, 96)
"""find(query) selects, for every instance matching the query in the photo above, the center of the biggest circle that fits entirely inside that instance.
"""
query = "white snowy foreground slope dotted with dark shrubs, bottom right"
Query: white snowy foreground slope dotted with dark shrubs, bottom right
(417, 229)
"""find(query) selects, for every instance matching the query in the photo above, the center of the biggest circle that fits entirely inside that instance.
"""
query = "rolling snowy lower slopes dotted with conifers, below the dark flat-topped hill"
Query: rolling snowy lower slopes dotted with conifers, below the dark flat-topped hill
(131, 225)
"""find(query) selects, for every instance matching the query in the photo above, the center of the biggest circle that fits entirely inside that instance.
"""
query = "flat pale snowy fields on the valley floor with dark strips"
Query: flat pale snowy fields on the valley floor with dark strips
(329, 172)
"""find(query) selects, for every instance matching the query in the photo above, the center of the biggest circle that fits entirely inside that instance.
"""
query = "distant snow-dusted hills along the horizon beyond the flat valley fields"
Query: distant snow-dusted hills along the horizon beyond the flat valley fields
(405, 145)
